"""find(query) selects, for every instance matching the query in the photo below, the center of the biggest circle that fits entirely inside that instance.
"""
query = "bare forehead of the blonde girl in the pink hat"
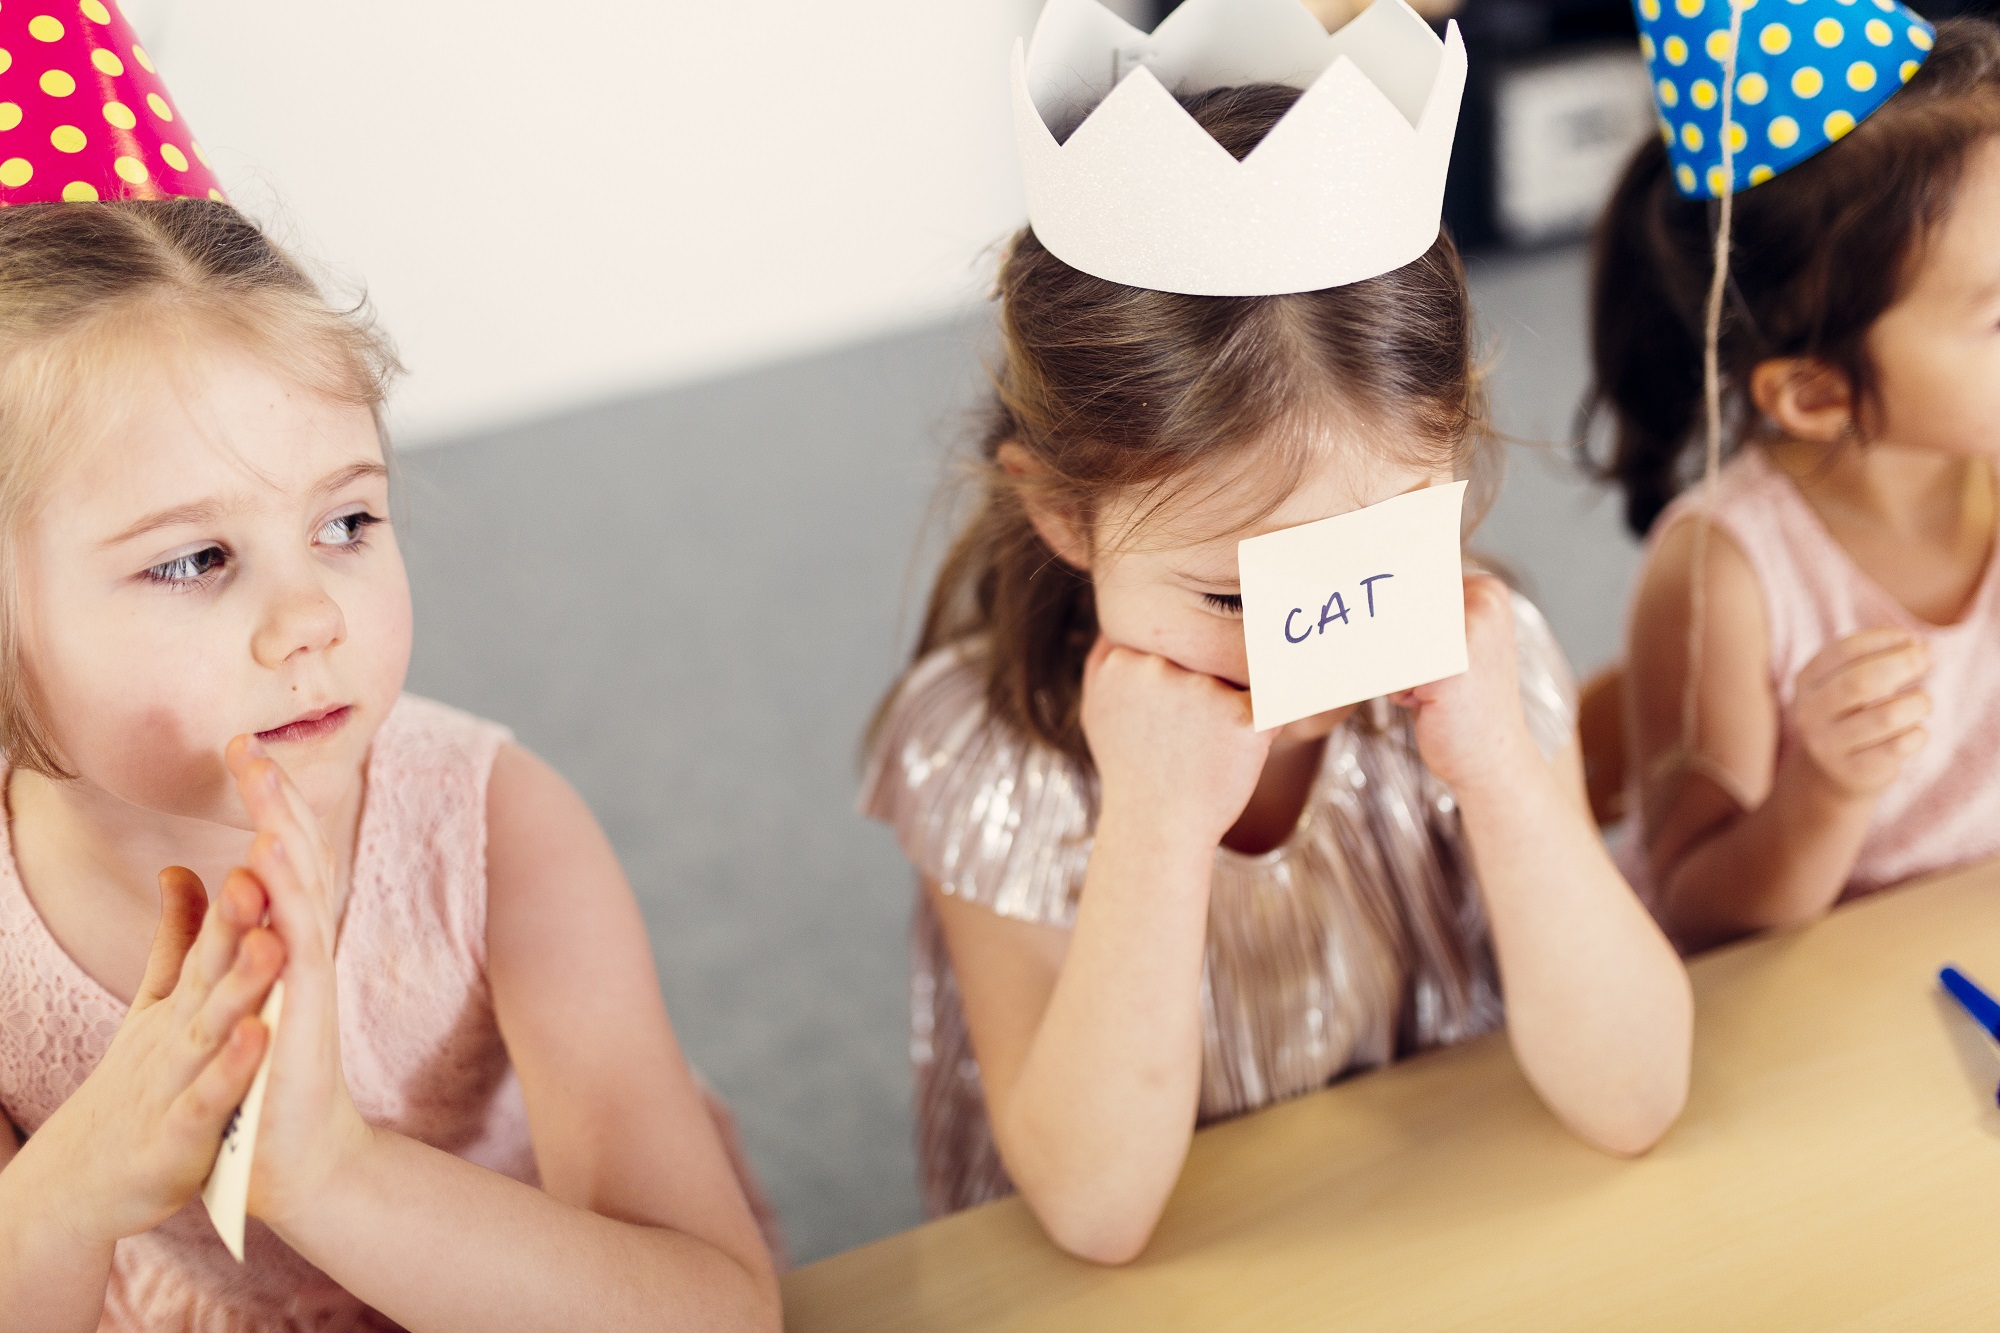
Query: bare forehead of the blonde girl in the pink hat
(211, 423)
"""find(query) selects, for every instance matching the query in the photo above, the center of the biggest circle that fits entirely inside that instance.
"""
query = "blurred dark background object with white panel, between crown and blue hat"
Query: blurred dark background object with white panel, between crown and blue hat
(1555, 103)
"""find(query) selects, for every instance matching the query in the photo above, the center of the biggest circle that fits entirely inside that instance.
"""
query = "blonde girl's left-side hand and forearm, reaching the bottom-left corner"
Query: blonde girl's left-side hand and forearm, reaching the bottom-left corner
(137, 1140)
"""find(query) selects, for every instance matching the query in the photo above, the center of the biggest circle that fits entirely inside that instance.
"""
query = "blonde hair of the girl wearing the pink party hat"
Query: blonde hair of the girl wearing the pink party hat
(85, 291)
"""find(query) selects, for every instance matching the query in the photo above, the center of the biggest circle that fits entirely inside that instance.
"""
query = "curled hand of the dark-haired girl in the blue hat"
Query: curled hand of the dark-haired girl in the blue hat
(1859, 710)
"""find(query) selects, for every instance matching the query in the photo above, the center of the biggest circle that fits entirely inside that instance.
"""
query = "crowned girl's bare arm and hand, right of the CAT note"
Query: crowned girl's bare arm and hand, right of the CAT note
(1597, 1002)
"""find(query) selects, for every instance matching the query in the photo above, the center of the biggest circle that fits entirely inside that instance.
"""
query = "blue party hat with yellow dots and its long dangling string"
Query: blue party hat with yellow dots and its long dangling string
(1815, 71)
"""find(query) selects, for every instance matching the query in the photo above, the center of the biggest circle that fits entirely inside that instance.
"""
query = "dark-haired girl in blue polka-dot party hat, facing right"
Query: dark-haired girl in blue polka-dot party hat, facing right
(1805, 275)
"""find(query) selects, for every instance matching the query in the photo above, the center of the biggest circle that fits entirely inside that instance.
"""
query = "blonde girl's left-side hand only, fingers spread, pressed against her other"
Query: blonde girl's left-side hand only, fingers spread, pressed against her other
(133, 1146)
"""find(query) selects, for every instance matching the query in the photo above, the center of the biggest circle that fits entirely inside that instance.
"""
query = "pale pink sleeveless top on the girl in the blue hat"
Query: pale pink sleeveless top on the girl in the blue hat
(1945, 808)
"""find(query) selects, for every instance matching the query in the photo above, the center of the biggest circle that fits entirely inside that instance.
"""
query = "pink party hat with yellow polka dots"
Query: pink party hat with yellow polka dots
(83, 113)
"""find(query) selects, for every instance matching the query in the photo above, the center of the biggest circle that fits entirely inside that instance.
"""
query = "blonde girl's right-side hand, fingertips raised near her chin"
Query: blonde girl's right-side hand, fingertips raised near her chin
(311, 1126)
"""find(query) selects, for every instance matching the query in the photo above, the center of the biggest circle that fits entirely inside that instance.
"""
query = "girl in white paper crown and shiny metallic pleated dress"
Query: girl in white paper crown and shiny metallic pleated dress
(1139, 914)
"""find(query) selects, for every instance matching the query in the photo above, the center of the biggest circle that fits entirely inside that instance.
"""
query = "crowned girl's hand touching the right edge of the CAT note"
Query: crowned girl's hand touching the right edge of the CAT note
(1471, 730)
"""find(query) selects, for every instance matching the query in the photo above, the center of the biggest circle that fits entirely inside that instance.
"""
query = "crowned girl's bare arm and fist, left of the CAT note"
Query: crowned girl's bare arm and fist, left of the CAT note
(1091, 1042)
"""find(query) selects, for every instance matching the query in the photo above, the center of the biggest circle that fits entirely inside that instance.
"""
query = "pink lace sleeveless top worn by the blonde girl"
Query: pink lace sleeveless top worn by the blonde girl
(419, 1042)
